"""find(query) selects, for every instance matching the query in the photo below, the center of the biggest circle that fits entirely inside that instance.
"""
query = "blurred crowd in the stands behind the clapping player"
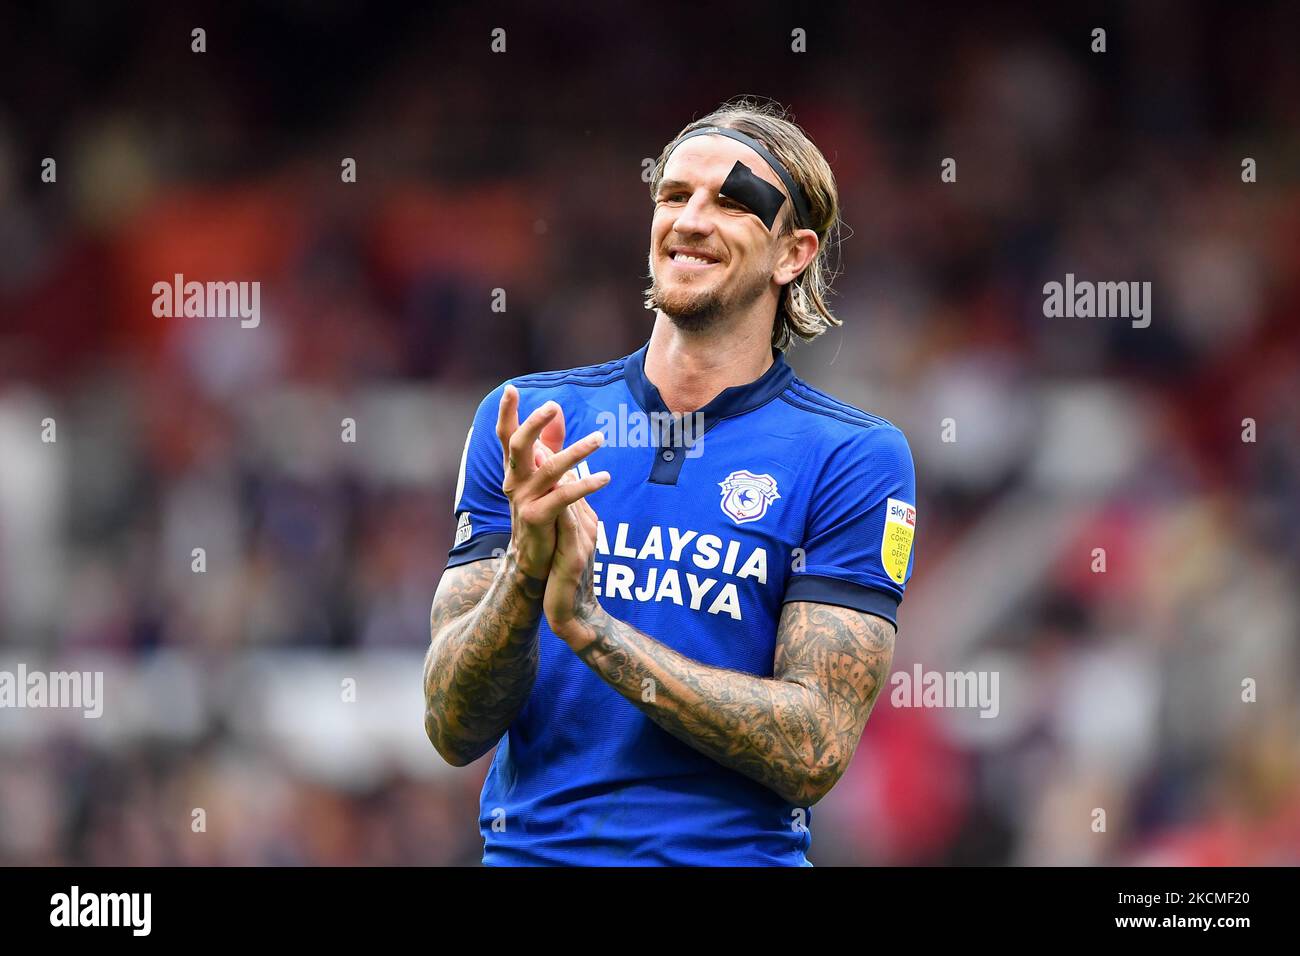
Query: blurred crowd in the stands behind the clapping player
(1163, 690)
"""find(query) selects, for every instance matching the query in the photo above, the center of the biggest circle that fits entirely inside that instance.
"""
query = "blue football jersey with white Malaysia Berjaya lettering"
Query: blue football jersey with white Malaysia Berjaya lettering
(774, 492)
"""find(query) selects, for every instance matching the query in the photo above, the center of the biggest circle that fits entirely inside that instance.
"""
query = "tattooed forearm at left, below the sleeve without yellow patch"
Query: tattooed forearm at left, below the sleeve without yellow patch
(483, 657)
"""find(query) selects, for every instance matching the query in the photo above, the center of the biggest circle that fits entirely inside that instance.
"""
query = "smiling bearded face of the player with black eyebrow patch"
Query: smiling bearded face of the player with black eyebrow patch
(710, 256)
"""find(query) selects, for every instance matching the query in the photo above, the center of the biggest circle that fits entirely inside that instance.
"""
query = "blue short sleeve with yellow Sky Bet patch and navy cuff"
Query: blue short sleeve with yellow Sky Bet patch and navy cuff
(861, 527)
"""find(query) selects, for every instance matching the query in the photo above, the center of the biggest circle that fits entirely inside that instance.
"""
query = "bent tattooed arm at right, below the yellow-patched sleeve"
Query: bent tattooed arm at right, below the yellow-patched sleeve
(794, 733)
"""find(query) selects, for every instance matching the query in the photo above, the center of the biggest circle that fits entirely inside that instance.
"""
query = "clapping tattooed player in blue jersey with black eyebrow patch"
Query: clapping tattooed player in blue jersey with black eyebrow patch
(677, 628)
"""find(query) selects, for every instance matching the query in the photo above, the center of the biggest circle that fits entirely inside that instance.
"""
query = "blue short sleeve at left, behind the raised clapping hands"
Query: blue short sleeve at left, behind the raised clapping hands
(480, 508)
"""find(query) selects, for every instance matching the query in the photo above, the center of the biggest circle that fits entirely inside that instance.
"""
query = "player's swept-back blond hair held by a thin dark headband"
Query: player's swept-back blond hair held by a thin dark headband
(803, 312)
